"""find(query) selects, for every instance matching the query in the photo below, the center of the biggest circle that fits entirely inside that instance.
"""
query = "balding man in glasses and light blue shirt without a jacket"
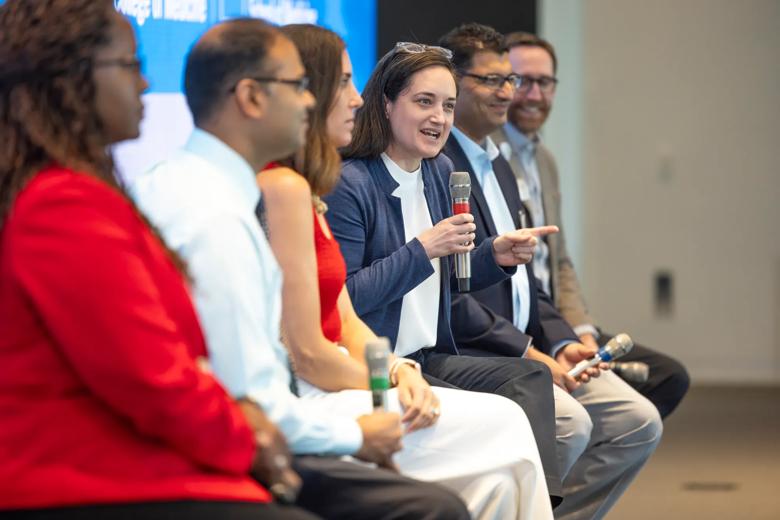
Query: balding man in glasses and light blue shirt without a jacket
(246, 88)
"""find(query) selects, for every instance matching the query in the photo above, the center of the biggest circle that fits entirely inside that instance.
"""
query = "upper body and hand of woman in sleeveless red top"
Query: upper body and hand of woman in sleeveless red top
(294, 214)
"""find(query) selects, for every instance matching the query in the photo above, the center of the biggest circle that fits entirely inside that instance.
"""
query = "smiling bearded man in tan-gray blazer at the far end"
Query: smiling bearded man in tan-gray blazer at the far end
(534, 59)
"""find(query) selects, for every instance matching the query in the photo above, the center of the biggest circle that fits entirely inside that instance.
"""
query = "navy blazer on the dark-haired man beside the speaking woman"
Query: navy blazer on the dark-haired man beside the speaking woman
(546, 325)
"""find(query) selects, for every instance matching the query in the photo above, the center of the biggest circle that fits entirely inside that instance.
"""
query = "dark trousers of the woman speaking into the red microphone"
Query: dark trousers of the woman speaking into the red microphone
(524, 381)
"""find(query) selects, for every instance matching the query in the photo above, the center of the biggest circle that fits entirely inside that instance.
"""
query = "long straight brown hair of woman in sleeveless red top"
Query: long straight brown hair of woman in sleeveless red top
(321, 50)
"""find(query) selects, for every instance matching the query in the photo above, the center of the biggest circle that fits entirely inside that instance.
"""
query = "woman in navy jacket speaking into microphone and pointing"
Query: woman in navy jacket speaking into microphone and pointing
(391, 214)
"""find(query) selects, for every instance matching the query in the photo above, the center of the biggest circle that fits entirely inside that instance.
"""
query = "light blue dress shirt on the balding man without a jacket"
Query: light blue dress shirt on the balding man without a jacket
(203, 201)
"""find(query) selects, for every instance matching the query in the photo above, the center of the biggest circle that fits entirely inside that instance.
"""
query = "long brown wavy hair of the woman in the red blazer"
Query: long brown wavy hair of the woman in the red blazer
(47, 95)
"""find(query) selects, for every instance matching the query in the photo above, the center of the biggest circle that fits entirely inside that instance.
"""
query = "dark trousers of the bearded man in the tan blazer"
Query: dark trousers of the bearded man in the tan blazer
(667, 382)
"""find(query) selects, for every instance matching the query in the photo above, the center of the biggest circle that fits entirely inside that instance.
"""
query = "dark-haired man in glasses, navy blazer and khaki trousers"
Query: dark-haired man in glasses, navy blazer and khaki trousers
(605, 429)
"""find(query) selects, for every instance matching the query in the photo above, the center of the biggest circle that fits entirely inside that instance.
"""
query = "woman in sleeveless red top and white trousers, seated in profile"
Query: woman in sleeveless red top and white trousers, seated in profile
(479, 445)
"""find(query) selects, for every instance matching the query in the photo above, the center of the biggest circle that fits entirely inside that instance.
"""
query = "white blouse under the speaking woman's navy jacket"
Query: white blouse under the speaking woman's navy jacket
(420, 306)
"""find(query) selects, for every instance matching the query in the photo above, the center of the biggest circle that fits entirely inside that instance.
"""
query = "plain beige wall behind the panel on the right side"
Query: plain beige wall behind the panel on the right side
(674, 136)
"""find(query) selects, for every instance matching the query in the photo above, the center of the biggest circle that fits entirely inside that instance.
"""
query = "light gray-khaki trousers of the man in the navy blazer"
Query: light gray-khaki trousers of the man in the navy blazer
(605, 432)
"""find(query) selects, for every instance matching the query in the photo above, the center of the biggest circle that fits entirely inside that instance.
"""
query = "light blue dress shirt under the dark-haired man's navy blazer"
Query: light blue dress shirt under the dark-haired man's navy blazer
(481, 160)
